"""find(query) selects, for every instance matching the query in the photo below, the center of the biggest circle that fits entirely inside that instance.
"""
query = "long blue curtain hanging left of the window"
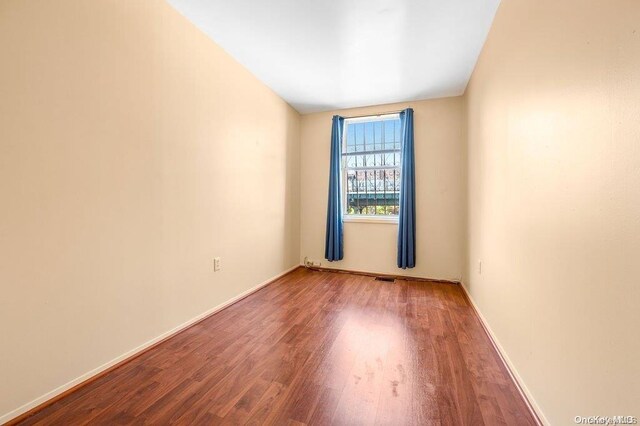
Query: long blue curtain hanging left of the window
(333, 249)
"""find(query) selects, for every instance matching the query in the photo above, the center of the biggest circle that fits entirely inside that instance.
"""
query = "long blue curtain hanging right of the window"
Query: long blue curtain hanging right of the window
(407, 220)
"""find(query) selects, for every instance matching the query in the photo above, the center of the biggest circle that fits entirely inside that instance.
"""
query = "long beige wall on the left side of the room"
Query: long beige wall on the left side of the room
(132, 151)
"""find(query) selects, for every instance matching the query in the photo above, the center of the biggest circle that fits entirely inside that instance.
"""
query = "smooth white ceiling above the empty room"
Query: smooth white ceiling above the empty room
(321, 55)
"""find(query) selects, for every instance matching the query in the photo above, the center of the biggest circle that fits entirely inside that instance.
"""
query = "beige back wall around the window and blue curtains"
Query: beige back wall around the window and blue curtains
(440, 181)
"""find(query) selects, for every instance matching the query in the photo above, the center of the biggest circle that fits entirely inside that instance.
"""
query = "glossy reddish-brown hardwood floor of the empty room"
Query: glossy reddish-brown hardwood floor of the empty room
(314, 348)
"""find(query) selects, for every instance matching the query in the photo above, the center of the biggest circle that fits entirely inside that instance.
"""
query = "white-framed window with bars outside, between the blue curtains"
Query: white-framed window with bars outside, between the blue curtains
(371, 167)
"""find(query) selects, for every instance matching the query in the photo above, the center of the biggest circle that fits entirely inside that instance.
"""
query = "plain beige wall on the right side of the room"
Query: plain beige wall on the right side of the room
(554, 200)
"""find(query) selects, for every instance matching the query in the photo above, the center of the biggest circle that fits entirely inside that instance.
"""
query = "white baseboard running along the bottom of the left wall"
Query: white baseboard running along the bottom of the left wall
(86, 376)
